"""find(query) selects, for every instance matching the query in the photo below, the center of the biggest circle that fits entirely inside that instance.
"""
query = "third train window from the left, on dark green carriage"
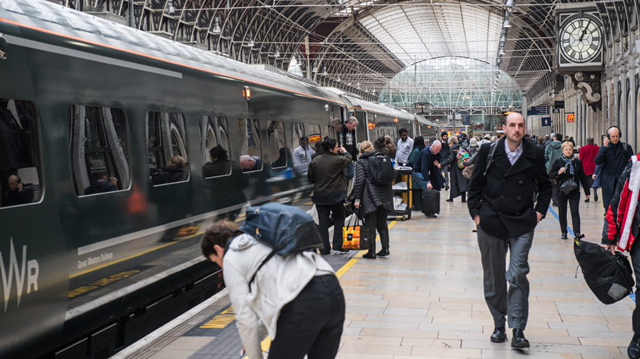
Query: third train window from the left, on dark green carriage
(167, 147)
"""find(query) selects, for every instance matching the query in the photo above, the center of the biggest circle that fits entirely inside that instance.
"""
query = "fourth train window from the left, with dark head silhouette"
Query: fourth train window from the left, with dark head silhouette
(215, 146)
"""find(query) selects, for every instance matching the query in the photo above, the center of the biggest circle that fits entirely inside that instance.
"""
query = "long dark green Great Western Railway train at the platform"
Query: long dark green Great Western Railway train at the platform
(99, 241)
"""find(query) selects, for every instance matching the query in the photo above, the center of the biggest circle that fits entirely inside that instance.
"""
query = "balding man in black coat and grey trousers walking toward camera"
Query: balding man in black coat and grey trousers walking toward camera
(502, 206)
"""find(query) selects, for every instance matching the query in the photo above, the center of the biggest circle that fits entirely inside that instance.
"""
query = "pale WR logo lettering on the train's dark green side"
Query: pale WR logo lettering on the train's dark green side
(17, 270)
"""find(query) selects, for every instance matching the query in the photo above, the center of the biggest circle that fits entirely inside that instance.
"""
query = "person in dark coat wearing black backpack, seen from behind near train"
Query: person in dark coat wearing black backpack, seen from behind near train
(373, 201)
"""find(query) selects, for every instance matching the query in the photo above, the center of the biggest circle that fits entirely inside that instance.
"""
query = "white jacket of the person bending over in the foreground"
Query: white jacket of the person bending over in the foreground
(276, 284)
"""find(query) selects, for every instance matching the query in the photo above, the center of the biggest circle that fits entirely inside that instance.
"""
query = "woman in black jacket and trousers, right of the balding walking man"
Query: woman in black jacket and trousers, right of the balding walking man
(563, 169)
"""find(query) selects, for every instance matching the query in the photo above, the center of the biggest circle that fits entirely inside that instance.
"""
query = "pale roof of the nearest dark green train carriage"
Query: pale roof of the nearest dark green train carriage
(88, 33)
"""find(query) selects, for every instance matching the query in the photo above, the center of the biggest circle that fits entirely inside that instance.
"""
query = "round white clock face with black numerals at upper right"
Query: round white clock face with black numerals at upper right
(581, 40)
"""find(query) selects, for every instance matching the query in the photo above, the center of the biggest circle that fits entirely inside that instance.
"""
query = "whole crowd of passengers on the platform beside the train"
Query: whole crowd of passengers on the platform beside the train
(508, 183)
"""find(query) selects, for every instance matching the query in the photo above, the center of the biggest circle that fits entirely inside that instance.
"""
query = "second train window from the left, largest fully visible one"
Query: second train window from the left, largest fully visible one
(99, 149)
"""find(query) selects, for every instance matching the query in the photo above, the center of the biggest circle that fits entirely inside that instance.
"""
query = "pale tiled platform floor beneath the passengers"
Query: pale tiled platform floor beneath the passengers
(426, 300)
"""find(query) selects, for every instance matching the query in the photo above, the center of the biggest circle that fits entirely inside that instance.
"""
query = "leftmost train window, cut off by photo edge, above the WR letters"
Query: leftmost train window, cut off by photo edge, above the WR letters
(20, 170)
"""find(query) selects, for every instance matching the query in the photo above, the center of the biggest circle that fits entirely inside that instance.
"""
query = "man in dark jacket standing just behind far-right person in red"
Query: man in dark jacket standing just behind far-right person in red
(612, 159)
